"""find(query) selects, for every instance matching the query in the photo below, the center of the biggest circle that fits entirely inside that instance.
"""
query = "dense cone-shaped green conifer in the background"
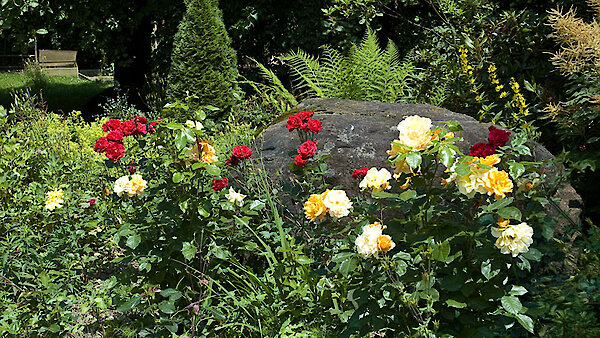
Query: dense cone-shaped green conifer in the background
(203, 64)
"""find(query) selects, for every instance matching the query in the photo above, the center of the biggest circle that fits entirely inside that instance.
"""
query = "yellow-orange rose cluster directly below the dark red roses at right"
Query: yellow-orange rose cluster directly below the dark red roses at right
(483, 178)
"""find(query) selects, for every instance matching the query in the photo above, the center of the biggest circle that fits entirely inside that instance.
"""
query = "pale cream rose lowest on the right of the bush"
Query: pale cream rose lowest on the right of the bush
(514, 239)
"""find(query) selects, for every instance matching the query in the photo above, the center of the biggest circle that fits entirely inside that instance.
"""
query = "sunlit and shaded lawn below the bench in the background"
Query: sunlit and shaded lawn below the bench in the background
(59, 92)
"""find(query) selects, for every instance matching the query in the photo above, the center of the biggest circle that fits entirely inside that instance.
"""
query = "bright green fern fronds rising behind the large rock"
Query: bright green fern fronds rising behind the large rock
(367, 73)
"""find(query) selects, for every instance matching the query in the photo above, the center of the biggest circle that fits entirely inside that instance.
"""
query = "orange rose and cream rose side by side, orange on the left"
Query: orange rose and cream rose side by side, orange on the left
(334, 202)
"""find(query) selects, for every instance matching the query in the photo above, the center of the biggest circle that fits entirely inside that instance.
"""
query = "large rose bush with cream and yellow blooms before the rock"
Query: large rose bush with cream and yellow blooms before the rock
(459, 233)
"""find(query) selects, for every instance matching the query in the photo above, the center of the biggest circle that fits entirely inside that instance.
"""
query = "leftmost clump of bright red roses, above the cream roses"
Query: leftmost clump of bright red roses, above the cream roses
(112, 143)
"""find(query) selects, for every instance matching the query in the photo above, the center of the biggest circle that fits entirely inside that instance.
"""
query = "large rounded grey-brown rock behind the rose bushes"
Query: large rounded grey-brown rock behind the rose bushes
(357, 134)
